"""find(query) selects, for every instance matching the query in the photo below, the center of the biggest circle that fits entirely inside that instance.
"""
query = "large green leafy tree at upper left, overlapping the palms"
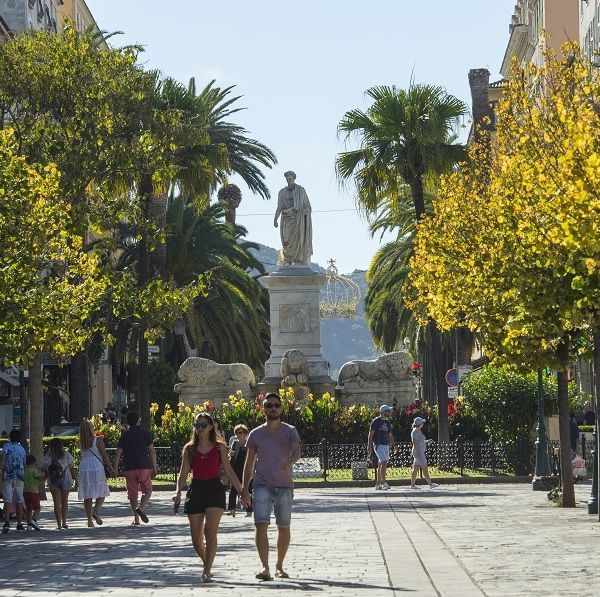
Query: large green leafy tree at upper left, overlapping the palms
(80, 107)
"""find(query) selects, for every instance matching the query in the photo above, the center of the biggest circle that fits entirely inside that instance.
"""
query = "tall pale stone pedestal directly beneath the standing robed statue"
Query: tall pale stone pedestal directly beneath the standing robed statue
(294, 297)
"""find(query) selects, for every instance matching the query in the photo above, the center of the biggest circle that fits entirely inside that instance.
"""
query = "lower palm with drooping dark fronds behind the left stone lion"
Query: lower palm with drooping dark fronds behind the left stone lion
(231, 323)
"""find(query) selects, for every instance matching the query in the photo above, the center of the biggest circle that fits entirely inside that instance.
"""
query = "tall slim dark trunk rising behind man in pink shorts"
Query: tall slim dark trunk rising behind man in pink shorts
(146, 187)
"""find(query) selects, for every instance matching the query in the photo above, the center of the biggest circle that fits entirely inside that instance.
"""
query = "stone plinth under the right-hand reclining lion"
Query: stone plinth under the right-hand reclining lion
(377, 392)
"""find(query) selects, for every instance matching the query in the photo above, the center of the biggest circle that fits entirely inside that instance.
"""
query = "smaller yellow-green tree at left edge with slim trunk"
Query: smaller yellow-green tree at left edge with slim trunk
(51, 287)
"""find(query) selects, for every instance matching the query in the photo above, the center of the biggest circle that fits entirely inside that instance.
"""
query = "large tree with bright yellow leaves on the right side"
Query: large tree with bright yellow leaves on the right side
(513, 251)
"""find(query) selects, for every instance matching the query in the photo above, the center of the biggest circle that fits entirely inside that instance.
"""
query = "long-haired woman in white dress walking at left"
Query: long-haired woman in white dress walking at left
(92, 476)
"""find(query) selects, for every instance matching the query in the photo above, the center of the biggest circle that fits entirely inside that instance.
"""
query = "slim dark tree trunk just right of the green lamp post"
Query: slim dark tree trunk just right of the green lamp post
(566, 466)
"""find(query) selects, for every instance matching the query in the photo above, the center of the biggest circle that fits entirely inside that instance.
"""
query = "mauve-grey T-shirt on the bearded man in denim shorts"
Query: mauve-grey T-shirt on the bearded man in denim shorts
(273, 449)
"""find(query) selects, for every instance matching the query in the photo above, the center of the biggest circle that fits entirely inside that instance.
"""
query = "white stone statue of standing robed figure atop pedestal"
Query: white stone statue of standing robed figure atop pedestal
(296, 223)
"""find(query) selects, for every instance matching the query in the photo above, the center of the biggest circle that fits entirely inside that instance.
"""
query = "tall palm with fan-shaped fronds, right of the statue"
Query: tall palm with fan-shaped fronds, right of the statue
(406, 138)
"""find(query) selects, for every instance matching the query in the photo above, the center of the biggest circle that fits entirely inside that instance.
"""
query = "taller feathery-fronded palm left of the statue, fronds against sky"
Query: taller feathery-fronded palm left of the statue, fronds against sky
(206, 149)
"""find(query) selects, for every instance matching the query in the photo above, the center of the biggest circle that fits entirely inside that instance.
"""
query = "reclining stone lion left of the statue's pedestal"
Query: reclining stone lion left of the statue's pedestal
(199, 372)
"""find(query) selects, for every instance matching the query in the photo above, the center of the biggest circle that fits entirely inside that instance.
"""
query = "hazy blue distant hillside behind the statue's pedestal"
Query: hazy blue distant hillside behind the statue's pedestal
(342, 339)
